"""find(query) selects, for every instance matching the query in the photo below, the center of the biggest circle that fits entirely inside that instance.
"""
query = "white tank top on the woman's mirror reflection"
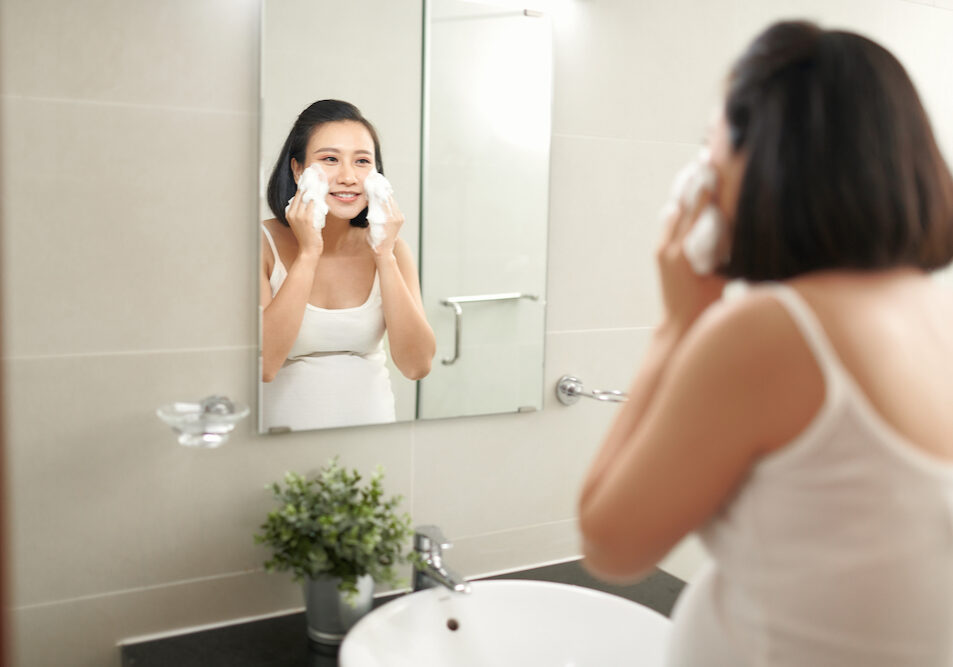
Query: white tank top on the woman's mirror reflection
(335, 373)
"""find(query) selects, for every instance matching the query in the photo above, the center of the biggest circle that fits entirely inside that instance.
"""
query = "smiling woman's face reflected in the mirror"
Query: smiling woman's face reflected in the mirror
(345, 152)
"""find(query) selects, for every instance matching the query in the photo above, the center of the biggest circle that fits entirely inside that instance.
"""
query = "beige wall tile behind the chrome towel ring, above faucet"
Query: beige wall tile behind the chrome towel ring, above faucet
(508, 471)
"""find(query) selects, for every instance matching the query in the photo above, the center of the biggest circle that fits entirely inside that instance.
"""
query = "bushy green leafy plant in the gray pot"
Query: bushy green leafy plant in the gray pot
(332, 526)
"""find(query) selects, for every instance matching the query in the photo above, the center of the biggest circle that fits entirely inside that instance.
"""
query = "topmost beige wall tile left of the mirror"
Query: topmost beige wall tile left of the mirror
(175, 53)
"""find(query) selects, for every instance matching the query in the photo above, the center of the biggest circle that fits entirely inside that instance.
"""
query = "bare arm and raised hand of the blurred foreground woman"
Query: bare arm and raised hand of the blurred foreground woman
(715, 392)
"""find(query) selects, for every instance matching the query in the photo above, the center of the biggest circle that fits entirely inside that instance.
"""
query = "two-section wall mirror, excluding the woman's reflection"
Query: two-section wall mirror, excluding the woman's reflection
(466, 149)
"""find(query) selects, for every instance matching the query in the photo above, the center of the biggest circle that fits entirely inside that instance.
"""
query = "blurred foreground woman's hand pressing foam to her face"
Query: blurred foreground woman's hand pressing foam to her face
(685, 294)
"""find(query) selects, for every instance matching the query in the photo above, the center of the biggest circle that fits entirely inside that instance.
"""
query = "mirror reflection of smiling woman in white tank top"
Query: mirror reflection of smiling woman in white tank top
(327, 296)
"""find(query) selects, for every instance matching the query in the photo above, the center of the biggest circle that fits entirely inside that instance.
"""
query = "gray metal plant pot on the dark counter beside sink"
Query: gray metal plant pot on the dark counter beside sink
(329, 614)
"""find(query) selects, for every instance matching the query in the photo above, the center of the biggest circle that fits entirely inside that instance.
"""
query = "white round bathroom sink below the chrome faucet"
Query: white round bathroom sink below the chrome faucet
(505, 623)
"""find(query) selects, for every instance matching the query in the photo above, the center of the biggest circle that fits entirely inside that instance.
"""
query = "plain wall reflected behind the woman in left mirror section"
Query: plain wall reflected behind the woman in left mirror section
(367, 53)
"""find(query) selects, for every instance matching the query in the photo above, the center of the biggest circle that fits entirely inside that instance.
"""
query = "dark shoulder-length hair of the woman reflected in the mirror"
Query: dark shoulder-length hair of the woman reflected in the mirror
(281, 185)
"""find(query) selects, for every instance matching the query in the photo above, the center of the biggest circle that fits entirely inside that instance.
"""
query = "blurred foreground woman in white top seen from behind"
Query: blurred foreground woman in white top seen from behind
(803, 428)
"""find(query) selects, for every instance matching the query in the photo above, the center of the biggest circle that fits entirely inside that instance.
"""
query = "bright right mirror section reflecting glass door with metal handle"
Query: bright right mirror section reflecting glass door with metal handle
(485, 205)
